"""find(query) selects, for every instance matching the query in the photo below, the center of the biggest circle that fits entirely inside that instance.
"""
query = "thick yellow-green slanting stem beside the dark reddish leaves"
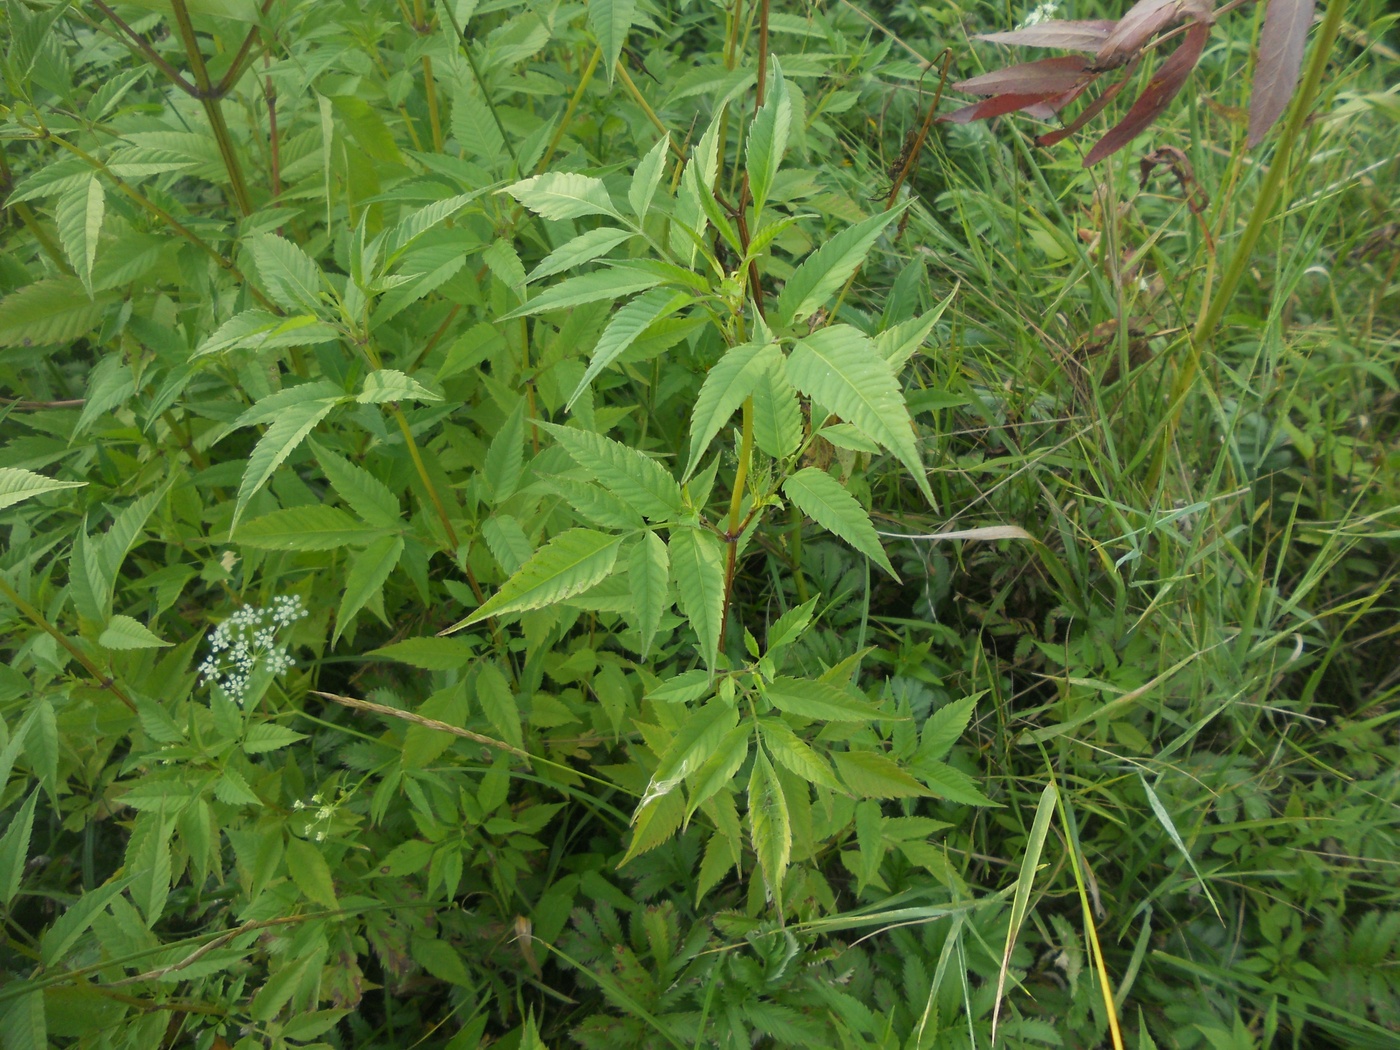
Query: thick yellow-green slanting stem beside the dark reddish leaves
(1270, 198)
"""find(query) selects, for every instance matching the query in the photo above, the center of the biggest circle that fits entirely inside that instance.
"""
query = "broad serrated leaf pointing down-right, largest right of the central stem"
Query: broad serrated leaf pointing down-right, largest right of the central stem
(839, 367)
